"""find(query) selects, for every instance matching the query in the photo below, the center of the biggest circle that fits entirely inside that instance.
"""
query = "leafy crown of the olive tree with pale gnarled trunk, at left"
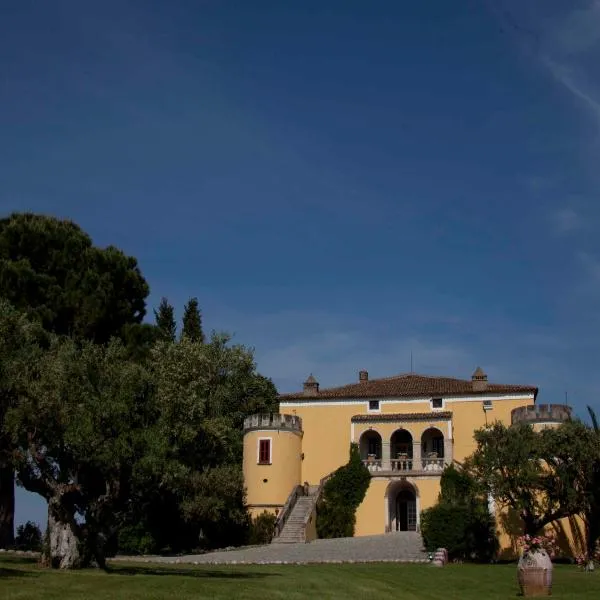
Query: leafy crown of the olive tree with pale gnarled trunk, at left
(79, 432)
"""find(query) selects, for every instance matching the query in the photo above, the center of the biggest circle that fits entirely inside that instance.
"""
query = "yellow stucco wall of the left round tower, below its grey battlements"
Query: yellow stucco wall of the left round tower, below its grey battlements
(281, 475)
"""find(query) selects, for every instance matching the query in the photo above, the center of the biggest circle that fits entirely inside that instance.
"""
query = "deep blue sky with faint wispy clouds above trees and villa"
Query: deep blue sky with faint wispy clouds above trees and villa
(339, 182)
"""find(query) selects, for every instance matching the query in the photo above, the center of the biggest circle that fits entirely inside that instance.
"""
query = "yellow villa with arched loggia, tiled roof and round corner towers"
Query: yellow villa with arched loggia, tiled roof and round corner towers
(407, 427)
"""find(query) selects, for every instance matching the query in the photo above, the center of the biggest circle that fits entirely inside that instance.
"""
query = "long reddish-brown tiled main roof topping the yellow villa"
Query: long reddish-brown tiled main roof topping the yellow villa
(409, 385)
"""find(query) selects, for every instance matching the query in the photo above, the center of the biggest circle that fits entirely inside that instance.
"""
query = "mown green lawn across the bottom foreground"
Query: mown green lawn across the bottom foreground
(22, 579)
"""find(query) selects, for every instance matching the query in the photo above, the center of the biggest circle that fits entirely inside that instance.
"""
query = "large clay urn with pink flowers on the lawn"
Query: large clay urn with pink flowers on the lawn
(534, 570)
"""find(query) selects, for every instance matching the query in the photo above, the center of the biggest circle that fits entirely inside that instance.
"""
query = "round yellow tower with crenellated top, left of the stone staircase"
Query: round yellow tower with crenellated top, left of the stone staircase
(272, 460)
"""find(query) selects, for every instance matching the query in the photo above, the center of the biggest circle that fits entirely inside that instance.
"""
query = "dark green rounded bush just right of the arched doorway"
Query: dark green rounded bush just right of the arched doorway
(461, 521)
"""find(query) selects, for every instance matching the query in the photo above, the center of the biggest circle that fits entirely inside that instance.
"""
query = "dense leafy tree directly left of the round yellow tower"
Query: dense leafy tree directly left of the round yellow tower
(193, 490)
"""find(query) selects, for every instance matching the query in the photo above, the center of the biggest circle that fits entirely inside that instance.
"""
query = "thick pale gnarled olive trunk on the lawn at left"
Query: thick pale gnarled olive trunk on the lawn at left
(63, 548)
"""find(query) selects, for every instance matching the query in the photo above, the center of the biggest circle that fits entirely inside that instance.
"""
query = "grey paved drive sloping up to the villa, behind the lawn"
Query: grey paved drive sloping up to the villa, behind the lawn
(402, 547)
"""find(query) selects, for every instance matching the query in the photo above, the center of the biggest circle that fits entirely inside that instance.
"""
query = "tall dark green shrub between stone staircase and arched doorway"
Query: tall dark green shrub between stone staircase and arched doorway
(342, 495)
